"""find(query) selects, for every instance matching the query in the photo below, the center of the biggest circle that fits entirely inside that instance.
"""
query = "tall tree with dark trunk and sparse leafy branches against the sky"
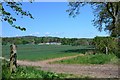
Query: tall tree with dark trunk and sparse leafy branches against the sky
(107, 15)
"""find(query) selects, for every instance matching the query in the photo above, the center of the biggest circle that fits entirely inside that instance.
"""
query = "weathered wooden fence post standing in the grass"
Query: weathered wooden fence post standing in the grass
(13, 58)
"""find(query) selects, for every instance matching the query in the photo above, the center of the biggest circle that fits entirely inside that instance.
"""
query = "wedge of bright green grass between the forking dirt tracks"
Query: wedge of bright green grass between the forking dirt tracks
(91, 59)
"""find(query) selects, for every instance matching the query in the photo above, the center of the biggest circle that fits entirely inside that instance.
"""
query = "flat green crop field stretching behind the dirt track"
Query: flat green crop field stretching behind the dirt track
(42, 52)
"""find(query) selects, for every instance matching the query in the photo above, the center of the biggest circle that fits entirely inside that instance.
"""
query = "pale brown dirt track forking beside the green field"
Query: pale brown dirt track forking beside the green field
(98, 71)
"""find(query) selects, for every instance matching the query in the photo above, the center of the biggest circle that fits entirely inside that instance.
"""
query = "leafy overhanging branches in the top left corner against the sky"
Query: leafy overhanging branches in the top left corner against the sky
(17, 8)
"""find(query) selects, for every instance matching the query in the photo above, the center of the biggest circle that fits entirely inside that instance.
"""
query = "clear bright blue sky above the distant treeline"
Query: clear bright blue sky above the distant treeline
(51, 19)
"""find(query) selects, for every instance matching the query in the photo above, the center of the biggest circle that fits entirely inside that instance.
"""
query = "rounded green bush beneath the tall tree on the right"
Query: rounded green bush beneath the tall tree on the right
(102, 42)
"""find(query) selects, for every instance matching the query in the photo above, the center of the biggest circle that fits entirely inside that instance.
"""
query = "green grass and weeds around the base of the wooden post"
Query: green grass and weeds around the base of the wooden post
(28, 72)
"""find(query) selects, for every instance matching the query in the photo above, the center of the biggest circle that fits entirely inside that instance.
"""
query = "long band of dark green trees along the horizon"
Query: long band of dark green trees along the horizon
(37, 40)
